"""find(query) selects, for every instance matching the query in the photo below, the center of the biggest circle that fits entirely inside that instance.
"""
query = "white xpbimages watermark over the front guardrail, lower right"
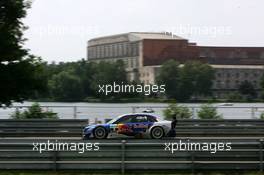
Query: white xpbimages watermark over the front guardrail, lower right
(212, 147)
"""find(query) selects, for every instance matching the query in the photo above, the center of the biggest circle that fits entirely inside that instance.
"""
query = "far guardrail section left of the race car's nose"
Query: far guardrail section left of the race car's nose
(42, 127)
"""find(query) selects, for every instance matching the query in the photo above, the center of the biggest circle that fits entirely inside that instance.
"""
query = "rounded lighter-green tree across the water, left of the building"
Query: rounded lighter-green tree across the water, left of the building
(66, 86)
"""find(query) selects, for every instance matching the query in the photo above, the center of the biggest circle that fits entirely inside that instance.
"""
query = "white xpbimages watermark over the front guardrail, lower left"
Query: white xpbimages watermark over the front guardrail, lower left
(80, 147)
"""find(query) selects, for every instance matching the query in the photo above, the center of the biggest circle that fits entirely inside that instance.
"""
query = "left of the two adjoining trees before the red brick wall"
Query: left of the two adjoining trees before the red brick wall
(169, 76)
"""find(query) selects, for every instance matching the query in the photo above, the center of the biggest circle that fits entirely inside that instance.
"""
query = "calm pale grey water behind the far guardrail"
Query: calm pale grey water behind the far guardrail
(105, 110)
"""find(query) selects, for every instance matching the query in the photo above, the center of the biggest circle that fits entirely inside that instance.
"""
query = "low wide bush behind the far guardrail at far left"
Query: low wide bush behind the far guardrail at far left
(34, 112)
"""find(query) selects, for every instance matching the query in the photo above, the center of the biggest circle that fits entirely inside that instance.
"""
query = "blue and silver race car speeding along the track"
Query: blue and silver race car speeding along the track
(129, 125)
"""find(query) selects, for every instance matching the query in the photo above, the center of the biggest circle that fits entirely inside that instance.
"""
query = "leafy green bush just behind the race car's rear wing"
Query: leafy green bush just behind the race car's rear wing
(181, 112)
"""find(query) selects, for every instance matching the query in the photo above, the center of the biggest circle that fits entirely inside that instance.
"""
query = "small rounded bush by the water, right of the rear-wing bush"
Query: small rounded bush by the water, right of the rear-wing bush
(207, 111)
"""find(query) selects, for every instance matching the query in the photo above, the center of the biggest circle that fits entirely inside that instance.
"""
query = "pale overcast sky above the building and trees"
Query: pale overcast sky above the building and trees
(59, 29)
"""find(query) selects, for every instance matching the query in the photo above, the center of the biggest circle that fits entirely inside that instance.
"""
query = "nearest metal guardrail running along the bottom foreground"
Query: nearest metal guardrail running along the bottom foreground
(133, 155)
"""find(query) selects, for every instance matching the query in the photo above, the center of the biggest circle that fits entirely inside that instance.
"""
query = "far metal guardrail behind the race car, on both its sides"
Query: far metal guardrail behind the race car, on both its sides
(74, 127)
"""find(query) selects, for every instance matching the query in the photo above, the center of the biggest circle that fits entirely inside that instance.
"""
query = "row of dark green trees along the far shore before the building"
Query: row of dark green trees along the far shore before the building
(80, 80)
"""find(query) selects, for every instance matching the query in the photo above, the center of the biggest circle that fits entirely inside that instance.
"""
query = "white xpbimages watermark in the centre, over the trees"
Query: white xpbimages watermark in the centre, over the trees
(130, 88)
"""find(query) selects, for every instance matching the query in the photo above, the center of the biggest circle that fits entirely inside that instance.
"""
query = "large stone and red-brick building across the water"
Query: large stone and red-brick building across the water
(144, 53)
